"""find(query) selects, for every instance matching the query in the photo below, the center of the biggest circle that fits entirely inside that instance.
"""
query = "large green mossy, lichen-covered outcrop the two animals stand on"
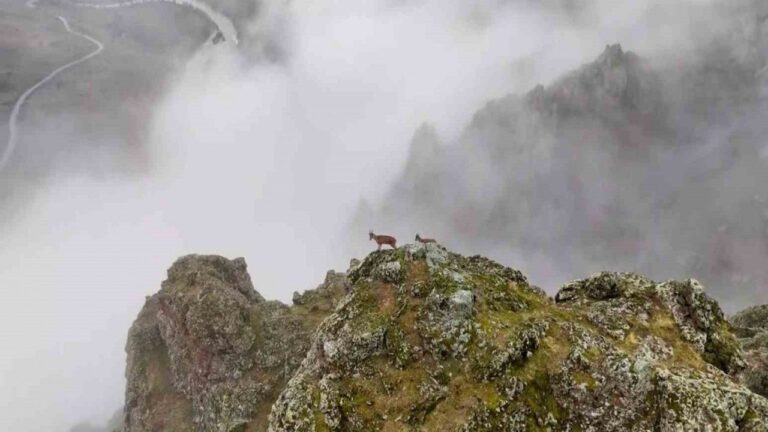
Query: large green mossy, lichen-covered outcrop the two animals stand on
(430, 340)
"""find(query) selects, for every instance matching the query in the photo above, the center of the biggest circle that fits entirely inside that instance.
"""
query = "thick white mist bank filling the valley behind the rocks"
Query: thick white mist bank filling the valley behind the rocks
(267, 159)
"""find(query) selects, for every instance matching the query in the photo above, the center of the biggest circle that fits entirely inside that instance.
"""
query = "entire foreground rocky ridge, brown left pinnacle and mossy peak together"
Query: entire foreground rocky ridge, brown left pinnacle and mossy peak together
(423, 339)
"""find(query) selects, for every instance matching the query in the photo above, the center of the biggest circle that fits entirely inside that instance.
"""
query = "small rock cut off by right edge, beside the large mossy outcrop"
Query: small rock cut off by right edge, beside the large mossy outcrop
(751, 327)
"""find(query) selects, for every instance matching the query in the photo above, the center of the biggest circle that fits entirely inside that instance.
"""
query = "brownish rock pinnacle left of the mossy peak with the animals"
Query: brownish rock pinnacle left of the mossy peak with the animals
(209, 353)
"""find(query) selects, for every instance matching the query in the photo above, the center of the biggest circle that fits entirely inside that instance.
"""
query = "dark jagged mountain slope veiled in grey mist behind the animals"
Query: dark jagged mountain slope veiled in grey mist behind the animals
(614, 165)
